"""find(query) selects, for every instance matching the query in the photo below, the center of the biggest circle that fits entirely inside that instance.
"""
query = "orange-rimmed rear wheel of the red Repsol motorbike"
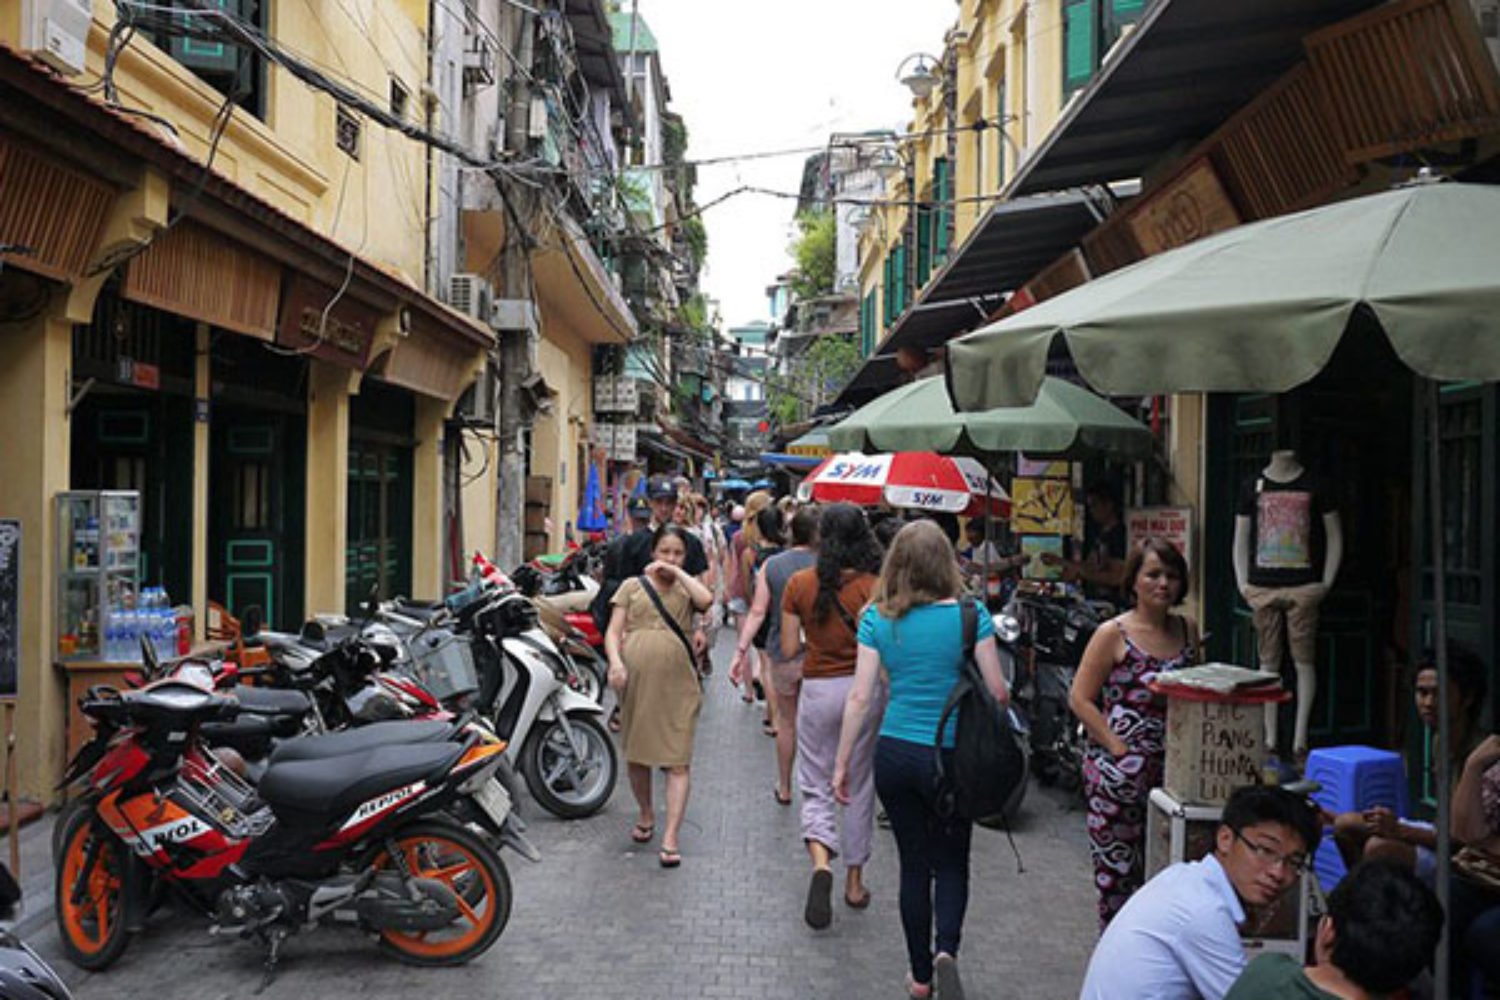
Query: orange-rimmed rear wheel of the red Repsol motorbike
(478, 876)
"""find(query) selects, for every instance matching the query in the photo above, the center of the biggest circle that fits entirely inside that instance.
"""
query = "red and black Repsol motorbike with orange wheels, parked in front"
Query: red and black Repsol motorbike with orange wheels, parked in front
(347, 830)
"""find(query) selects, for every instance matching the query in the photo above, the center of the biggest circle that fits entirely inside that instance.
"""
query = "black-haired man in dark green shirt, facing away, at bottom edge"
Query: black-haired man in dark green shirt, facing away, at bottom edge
(1381, 930)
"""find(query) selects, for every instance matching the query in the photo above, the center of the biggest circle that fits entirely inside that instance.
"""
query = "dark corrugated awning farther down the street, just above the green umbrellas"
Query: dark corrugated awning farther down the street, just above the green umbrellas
(1012, 244)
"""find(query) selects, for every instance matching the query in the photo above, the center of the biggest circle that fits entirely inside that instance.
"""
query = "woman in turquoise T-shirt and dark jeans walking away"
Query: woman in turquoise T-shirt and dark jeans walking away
(913, 633)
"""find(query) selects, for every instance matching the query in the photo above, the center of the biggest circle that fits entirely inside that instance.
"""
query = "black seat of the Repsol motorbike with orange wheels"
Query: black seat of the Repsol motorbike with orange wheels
(328, 788)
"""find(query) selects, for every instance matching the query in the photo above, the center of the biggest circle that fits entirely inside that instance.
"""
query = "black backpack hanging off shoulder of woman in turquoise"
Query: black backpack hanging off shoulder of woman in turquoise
(989, 755)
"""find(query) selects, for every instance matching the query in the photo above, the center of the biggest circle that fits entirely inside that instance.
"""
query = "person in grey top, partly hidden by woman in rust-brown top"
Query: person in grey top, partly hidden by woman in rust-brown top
(766, 612)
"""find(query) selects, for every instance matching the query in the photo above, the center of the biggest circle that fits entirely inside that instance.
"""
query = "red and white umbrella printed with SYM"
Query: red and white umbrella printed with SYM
(917, 481)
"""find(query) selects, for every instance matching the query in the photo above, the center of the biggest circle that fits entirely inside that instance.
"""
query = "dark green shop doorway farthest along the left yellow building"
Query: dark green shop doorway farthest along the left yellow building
(379, 542)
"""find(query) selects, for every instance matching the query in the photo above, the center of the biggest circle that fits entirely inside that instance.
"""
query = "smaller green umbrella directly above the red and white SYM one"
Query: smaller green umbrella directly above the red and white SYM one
(1064, 422)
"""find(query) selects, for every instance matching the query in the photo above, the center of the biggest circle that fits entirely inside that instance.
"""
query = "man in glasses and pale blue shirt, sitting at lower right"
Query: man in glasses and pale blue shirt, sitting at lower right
(1178, 938)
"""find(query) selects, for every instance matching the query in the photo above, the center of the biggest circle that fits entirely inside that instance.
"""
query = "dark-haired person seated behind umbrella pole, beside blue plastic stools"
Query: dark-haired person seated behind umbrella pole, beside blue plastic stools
(1379, 834)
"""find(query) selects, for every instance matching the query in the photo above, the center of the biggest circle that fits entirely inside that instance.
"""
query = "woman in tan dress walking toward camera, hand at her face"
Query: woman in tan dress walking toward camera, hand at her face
(652, 671)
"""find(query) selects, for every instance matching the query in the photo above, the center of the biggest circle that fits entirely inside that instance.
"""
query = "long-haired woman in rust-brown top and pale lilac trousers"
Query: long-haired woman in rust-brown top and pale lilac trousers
(821, 606)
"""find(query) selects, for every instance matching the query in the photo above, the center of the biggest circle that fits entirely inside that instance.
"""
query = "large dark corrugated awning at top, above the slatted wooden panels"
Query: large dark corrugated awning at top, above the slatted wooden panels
(1186, 68)
